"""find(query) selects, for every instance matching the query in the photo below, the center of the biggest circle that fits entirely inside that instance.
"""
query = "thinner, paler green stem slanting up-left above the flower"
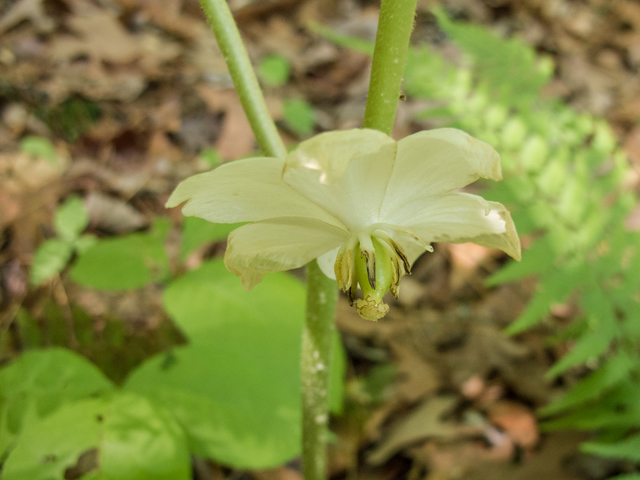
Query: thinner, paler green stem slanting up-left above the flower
(244, 79)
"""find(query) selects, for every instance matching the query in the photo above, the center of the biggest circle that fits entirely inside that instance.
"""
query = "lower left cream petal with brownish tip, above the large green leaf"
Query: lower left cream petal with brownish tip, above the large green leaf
(278, 244)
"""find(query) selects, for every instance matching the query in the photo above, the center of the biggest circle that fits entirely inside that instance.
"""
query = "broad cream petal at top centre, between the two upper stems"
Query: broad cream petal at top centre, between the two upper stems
(344, 172)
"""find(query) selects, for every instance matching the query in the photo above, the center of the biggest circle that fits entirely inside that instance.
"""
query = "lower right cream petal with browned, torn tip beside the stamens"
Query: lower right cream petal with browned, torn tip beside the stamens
(461, 218)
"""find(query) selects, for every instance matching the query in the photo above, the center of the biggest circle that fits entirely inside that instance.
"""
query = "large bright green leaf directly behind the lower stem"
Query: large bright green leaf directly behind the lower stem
(236, 388)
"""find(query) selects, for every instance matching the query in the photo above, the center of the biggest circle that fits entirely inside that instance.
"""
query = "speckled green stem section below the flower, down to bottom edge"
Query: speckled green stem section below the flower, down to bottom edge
(317, 342)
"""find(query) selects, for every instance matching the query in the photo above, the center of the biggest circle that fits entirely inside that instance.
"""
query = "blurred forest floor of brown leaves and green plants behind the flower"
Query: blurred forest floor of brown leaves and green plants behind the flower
(484, 368)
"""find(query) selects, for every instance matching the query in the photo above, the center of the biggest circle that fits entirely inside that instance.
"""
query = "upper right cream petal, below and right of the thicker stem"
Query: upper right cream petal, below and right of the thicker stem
(434, 162)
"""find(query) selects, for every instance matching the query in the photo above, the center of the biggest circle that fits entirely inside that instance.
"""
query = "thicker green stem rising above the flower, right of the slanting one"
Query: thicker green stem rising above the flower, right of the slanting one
(389, 57)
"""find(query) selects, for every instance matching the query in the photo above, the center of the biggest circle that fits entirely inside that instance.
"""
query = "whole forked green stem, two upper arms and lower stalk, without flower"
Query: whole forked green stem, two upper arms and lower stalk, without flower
(396, 21)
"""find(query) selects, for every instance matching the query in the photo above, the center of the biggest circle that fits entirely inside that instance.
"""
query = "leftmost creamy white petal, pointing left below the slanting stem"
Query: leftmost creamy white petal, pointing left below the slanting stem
(244, 191)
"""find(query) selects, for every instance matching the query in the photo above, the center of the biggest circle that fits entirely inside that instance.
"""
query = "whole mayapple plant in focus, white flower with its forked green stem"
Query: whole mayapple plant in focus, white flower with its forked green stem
(362, 204)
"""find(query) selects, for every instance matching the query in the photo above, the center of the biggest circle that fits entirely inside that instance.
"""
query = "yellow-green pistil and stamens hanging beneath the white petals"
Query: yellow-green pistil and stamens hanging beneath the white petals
(376, 263)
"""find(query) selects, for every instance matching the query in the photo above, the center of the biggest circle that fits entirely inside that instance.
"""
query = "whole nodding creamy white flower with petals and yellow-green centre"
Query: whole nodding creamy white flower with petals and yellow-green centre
(362, 204)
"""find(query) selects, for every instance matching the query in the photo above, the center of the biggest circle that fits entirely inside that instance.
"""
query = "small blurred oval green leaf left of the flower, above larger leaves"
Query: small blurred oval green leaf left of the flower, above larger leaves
(123, 263)
